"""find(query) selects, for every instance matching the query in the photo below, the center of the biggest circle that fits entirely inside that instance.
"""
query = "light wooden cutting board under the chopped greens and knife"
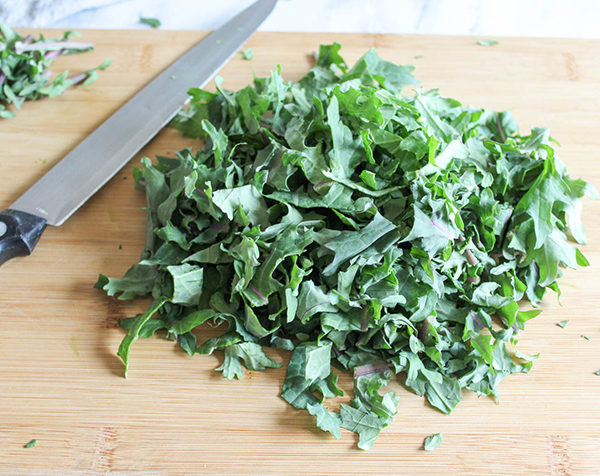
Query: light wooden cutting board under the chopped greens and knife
(60, 379)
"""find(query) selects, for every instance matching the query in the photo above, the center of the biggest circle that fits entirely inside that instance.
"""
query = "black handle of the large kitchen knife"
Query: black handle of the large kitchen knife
(19, 233)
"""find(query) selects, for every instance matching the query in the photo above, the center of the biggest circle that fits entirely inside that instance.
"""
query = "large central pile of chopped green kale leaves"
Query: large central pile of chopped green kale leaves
(360, 229)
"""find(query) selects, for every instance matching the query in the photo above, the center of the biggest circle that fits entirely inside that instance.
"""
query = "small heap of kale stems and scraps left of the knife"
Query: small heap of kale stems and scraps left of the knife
(25, 63)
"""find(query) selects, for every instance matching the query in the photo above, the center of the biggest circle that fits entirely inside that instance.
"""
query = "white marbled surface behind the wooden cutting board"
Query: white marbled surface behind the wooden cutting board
(541, 18)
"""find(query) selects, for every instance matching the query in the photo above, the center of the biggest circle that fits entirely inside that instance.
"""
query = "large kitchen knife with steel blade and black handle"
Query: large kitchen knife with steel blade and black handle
(67, 186)
